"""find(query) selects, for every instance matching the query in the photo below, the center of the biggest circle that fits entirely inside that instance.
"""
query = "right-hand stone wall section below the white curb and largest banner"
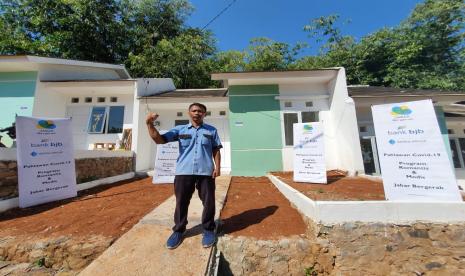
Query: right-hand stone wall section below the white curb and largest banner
(380, 249)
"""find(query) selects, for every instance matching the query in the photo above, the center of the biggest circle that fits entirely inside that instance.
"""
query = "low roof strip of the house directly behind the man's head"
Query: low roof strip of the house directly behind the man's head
(191, 93)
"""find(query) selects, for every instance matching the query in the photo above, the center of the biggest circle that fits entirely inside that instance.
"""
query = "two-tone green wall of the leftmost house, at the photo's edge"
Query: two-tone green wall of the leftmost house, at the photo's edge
(17, 91)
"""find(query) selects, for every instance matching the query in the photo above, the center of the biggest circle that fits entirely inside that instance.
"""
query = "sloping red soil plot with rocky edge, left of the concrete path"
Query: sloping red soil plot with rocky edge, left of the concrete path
(67, 235)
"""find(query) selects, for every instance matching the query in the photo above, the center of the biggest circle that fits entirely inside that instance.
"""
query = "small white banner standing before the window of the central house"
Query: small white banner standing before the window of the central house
(309, 155)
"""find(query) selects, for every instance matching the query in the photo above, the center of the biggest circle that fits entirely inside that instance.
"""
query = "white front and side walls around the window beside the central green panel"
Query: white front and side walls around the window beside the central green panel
(336, 111)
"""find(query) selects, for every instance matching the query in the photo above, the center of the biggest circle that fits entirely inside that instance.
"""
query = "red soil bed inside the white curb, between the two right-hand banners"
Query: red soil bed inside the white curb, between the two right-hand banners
(339, 187)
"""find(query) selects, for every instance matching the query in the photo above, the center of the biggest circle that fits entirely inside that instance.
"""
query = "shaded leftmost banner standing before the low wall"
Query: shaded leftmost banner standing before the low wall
(46, 170)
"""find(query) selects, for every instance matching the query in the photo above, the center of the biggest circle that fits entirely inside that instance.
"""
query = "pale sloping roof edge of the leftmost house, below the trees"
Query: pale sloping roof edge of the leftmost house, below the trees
(28, 62)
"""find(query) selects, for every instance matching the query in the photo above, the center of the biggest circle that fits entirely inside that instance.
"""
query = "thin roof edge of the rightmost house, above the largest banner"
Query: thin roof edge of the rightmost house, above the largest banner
(362, 91)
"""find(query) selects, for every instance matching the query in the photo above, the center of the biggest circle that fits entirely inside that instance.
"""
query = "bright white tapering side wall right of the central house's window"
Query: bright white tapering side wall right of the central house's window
(342, 135)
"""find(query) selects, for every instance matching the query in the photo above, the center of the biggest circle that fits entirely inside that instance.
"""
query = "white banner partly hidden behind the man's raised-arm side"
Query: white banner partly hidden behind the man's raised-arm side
(165, 163)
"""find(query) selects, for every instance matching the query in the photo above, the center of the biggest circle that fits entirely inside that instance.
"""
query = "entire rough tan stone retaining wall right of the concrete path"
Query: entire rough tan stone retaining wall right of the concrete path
(351, 249)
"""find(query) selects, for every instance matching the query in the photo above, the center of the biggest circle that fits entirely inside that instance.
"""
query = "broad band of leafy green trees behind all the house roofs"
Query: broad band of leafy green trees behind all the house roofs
(427, 50)
